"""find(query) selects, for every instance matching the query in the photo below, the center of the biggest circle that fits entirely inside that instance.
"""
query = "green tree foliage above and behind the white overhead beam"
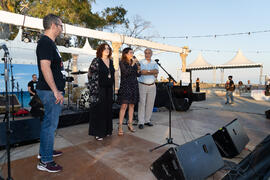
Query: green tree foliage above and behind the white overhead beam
(76, 12)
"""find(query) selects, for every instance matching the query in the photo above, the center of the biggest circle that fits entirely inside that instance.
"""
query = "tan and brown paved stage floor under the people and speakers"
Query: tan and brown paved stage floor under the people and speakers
(128, 157)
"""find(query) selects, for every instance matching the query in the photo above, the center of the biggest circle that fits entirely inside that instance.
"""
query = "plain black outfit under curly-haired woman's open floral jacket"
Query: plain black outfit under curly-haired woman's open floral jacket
(100, 120)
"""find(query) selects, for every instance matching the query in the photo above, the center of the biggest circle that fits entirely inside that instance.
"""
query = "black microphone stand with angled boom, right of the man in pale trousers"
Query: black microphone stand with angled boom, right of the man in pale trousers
(169, 139)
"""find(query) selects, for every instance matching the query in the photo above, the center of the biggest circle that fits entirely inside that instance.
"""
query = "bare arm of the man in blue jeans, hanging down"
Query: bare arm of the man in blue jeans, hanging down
(48, 76)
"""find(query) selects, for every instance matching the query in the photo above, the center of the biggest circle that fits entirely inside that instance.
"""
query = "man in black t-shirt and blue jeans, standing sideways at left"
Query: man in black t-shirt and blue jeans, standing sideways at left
(50, 88)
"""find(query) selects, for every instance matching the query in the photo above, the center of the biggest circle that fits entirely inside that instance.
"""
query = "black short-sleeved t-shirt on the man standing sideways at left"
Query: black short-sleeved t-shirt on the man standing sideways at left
(46, 49)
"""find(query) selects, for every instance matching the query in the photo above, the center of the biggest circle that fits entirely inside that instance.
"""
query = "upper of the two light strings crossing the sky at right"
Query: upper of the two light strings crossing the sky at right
(209, 36)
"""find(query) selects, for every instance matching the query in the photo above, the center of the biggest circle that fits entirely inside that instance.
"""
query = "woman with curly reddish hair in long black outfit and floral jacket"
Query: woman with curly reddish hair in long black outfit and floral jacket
(101, 81)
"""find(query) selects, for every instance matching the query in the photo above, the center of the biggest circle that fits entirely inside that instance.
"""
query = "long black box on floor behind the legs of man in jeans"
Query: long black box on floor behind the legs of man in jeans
(23, 132)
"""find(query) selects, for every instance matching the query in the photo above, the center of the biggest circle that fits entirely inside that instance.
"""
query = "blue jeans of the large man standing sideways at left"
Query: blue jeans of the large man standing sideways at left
(49, 124)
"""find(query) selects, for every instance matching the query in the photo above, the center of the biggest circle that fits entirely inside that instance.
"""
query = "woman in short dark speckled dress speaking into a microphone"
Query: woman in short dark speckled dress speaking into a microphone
(128, 93)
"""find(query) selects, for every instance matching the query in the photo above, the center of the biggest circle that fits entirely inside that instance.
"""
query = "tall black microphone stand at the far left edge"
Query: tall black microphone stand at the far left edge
(7, 113)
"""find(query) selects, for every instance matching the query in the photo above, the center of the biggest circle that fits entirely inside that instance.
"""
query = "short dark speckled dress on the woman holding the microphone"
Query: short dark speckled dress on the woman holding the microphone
(129, 89)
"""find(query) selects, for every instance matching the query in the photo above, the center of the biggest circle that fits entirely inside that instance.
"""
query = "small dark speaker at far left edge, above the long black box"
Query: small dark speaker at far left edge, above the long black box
(12, 99)
